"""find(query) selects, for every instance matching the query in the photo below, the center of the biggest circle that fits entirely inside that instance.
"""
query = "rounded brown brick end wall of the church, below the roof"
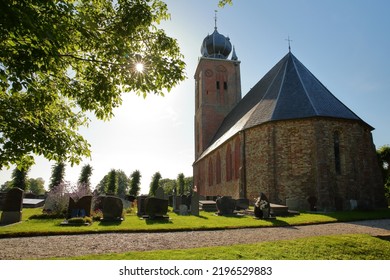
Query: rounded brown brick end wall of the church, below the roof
(292, 160)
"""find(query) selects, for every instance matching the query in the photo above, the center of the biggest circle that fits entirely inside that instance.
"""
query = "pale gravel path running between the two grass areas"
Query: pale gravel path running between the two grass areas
(45, 247)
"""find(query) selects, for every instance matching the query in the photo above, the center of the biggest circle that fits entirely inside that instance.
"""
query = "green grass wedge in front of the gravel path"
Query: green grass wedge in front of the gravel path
(339, 247)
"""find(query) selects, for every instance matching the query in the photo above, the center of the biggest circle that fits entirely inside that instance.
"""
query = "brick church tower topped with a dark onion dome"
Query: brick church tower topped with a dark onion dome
(217, 87)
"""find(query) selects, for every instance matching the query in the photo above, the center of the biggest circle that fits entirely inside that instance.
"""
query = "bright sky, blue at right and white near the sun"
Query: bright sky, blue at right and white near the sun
(345, 44)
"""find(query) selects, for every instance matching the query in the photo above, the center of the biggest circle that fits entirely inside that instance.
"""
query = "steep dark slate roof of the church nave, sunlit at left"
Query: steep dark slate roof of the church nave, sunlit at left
(288, 91)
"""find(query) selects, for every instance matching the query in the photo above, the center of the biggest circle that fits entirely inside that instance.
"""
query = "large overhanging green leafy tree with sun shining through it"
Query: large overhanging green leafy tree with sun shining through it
(62, 59)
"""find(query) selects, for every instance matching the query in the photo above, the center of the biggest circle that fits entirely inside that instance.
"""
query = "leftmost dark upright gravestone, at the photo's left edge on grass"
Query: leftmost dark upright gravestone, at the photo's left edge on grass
(12, 207)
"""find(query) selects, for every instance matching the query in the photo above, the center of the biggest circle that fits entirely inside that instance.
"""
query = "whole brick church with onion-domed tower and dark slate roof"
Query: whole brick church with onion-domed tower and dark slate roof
(288, 137)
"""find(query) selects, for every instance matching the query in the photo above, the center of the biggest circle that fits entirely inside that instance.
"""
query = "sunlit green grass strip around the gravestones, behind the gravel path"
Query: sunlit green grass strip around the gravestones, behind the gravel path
(206, 220)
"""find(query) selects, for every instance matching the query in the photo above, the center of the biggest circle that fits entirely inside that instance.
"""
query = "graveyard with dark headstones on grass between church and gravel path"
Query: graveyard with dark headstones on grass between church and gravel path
(158, 213)
